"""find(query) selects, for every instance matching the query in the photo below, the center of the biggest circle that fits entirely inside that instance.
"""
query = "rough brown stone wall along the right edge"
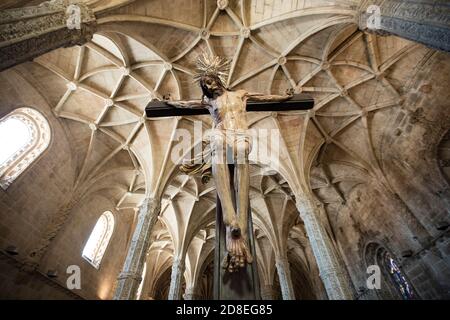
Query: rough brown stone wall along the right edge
(376, 215)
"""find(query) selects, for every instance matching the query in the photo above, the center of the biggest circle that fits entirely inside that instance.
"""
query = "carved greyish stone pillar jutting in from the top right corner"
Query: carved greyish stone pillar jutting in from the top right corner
(423, 21)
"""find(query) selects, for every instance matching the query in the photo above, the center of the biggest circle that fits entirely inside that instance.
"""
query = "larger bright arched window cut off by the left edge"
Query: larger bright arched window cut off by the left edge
(24, 135)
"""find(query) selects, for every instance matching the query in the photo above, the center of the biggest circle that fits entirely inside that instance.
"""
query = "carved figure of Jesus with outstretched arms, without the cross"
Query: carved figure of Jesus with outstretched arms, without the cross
(228, 112)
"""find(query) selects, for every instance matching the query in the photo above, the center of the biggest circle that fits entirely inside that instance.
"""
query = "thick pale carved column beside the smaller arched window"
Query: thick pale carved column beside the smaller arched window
(131, 276)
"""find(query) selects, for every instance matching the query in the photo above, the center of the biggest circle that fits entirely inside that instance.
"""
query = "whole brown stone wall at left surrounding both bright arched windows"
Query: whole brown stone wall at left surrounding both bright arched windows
(36, 196)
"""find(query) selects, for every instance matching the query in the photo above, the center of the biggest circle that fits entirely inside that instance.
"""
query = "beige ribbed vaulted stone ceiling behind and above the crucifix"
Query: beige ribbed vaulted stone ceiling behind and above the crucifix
(147, 50)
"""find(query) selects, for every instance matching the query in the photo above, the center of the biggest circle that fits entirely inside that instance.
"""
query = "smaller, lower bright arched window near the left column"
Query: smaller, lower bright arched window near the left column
(98, 240)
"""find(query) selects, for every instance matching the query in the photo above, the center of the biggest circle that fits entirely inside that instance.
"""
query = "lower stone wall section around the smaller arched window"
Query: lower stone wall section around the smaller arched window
(67, 248)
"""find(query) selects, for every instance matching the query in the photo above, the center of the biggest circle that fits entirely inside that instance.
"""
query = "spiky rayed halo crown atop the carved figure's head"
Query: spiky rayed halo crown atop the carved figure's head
(212, 66)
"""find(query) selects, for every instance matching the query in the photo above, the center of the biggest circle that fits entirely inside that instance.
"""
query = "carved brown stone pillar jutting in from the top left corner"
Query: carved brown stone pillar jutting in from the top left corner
(28, 32)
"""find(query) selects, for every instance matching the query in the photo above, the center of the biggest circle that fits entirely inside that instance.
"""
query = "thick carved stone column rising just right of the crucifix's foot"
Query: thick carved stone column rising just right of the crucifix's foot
(331, 272)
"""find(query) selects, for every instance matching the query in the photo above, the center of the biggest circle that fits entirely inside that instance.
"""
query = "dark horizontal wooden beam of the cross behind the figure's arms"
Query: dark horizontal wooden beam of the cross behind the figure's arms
(158, 109)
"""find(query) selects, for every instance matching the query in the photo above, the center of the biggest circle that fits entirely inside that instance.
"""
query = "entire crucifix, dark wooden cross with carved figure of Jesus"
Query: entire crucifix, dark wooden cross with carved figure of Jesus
(228, 110)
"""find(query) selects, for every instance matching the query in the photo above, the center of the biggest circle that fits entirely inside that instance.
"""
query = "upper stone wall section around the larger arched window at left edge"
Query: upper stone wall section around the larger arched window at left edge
(27, 205)
